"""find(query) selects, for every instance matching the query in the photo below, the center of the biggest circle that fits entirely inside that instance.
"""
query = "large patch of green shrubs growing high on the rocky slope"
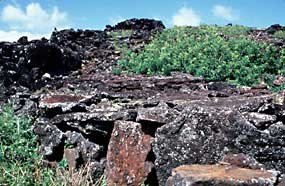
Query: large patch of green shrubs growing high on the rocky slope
(213, 52)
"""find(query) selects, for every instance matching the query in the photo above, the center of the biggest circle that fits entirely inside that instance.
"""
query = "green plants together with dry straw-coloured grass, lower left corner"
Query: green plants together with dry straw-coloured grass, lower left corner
(20, 162)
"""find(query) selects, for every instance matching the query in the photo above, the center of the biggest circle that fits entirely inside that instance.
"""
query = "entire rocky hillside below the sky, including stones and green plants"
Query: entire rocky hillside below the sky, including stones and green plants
(138, 103)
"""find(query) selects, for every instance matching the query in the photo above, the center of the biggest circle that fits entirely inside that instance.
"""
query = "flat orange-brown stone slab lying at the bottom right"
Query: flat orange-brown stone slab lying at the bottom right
(219, 175)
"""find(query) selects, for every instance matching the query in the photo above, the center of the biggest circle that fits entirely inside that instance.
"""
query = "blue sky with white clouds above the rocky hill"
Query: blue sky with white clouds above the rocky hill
(38, 18)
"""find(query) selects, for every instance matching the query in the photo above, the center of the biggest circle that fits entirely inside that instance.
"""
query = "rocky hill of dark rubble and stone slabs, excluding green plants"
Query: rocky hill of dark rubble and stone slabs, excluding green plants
(157, 130)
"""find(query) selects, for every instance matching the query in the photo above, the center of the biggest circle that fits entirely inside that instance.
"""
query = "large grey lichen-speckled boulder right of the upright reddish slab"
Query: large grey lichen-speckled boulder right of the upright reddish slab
(189, 139)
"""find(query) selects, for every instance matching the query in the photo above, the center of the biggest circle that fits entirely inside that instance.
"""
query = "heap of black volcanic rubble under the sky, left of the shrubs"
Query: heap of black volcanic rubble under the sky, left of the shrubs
(39, 63)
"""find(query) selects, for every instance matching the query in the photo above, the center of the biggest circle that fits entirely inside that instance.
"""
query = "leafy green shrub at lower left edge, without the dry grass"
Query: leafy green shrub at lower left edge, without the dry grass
(20, 163)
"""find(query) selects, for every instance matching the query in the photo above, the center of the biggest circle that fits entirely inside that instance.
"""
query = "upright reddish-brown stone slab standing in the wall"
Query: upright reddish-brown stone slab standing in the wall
(127, 153)
